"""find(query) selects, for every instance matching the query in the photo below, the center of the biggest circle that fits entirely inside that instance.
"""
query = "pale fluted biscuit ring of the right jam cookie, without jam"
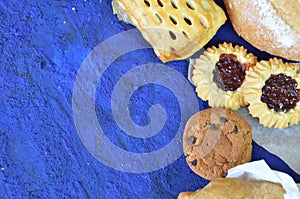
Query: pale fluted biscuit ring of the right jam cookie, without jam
(254, 83)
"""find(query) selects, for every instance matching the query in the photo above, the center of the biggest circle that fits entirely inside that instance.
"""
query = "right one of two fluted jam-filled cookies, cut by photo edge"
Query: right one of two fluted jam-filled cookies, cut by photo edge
(273, 93)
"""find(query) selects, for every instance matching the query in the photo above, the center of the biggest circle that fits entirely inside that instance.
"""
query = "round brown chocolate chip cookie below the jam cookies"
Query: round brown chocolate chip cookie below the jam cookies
(215, 140)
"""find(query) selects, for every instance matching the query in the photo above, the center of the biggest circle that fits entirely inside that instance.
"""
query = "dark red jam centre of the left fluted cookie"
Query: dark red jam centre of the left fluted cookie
(229, 73)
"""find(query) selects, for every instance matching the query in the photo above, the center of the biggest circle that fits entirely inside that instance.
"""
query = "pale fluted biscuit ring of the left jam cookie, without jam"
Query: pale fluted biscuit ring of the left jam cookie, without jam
(203, 76)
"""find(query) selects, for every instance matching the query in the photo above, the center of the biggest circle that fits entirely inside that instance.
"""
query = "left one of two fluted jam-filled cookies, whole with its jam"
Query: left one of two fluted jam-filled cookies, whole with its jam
(219, 75)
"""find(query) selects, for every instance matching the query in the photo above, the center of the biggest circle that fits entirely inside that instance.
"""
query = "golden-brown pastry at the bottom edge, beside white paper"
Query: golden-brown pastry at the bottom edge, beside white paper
(228, 188)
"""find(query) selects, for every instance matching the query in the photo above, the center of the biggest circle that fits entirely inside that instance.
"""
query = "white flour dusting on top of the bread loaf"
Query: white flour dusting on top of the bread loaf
(284, 34)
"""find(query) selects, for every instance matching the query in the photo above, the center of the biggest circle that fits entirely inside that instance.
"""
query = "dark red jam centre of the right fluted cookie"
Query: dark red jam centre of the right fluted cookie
(280, 93)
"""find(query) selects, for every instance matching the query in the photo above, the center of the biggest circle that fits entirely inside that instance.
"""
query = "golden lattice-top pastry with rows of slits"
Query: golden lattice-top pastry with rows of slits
(176, 29)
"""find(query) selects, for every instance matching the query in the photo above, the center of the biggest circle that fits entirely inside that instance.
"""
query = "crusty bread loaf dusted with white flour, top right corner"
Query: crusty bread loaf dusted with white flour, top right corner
(269, 25)
